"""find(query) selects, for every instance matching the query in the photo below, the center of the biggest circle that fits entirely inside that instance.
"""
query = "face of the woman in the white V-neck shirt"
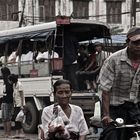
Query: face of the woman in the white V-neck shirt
(63, 94)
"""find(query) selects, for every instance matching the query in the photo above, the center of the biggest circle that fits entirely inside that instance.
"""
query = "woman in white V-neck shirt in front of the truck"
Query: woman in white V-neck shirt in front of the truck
(62, 120)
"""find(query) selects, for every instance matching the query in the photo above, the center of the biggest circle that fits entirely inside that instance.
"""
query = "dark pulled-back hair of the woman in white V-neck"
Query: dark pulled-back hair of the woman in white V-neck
(60, 82)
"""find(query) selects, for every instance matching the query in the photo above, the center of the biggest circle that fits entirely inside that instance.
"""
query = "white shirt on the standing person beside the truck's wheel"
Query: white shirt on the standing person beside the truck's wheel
(18, 94)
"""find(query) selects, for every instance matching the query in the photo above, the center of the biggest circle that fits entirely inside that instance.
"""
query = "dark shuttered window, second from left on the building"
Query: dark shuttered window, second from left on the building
(46, 10)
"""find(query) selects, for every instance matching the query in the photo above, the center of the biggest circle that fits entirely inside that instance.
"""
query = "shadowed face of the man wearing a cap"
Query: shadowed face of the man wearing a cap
(134, 47)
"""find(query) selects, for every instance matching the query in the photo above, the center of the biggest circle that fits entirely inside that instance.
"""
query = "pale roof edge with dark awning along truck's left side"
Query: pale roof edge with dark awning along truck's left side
(40, 31)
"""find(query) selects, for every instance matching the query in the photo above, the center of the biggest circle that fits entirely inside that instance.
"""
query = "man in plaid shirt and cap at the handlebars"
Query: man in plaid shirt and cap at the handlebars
(119, 81)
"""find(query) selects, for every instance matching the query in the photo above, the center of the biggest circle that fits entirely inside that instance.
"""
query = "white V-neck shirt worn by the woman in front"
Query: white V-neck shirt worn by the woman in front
(76, 120)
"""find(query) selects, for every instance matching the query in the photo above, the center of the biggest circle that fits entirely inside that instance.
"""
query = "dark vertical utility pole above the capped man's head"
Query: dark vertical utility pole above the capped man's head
(133, 14)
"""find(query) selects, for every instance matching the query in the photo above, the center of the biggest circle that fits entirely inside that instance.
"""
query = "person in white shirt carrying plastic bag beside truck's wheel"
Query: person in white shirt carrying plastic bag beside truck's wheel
(19, 104)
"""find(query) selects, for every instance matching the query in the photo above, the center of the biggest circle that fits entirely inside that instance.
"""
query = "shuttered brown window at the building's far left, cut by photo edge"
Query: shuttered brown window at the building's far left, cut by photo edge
(9, 10)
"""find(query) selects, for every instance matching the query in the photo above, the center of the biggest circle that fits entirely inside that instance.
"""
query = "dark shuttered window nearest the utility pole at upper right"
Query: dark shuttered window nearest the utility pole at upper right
(114, 11)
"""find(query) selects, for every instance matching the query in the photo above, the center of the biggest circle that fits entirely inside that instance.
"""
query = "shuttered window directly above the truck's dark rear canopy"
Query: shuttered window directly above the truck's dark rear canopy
(80, 8)
